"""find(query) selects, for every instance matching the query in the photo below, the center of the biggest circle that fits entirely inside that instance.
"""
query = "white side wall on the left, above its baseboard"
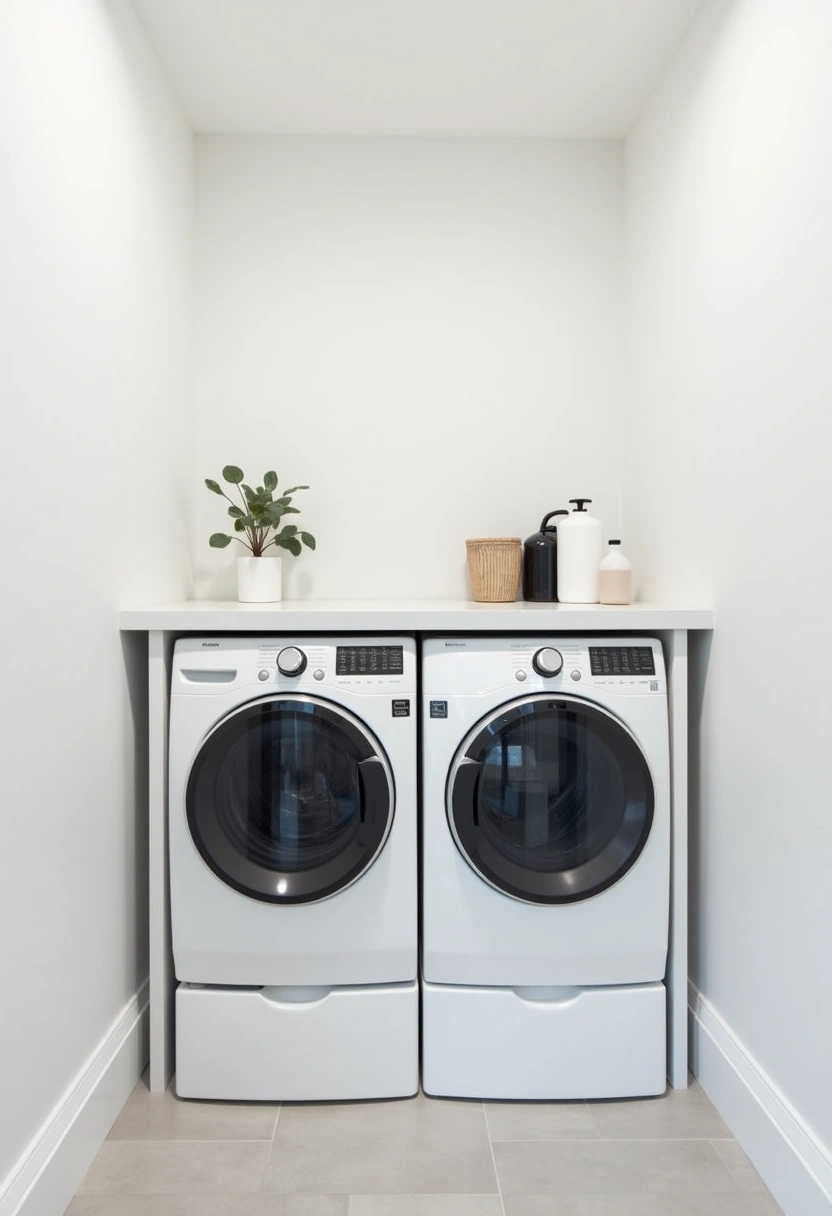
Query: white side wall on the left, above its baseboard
(95, 229)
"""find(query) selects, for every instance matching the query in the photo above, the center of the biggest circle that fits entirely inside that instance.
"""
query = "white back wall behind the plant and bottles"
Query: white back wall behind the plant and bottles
(428, 333)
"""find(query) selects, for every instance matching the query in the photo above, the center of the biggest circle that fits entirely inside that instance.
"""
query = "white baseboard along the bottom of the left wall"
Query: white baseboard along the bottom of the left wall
(53, 1166)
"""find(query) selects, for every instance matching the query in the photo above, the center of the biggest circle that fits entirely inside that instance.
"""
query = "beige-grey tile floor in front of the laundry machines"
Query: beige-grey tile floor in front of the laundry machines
(423, 1157)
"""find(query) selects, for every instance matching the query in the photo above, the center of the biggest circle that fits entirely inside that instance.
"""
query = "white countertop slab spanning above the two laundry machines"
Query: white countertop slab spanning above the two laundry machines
(409, 616)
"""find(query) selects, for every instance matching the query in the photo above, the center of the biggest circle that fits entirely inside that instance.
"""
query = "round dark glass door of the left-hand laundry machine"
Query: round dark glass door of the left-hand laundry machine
(290, 800)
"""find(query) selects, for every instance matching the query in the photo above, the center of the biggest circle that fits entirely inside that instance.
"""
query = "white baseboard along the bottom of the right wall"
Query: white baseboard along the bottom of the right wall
(795, 1166)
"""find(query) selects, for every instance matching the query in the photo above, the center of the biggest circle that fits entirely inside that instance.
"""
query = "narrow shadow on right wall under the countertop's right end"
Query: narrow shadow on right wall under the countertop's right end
(699, 660)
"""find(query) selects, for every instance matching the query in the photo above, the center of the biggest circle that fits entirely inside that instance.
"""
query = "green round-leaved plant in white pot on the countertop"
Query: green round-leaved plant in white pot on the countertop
(258, 527)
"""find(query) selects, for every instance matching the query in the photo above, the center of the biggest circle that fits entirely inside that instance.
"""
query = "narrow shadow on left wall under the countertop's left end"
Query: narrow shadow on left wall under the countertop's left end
(134, 650)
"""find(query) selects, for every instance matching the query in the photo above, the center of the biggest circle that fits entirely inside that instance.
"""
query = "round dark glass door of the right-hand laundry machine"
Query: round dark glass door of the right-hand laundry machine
(550, 801)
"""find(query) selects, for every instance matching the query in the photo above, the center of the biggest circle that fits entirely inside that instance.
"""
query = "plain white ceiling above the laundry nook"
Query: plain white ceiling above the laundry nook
(556, 69)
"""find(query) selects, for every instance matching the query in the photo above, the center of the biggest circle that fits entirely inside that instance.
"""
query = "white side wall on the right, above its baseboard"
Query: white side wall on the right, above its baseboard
(729, 502)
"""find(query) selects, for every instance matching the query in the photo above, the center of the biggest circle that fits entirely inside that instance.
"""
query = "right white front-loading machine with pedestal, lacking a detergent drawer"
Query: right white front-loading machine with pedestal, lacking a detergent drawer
(547, 868)
